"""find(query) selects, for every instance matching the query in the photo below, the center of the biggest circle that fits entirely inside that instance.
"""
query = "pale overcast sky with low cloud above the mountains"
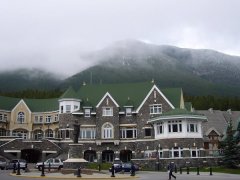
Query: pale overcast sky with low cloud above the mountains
(51, 34)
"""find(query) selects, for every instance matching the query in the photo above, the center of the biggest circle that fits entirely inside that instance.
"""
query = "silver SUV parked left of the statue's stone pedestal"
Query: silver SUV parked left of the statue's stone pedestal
(52, 163)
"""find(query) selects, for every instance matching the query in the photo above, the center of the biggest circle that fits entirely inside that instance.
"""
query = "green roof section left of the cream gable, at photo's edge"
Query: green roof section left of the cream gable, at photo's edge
(8, 103)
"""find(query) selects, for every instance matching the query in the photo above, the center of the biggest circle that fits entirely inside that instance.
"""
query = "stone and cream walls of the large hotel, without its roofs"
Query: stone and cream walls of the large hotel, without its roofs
(132, 137)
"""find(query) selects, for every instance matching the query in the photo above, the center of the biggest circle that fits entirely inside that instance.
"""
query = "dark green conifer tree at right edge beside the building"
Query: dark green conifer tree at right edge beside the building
(231, 149)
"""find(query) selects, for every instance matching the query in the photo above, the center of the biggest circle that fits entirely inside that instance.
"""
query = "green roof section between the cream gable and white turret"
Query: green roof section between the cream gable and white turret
(42, 105)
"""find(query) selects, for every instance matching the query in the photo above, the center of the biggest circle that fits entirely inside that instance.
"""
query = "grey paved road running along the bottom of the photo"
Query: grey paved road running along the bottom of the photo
(5, 175)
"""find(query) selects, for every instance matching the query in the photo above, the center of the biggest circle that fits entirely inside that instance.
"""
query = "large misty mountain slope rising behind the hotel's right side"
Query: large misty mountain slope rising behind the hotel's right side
(198, 72)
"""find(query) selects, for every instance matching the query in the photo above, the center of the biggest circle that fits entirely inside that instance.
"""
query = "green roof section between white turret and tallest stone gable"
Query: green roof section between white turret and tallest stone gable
(121, 93)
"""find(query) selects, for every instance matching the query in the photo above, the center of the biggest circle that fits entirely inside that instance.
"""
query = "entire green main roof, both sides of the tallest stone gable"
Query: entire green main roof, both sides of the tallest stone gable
(127, 94)
